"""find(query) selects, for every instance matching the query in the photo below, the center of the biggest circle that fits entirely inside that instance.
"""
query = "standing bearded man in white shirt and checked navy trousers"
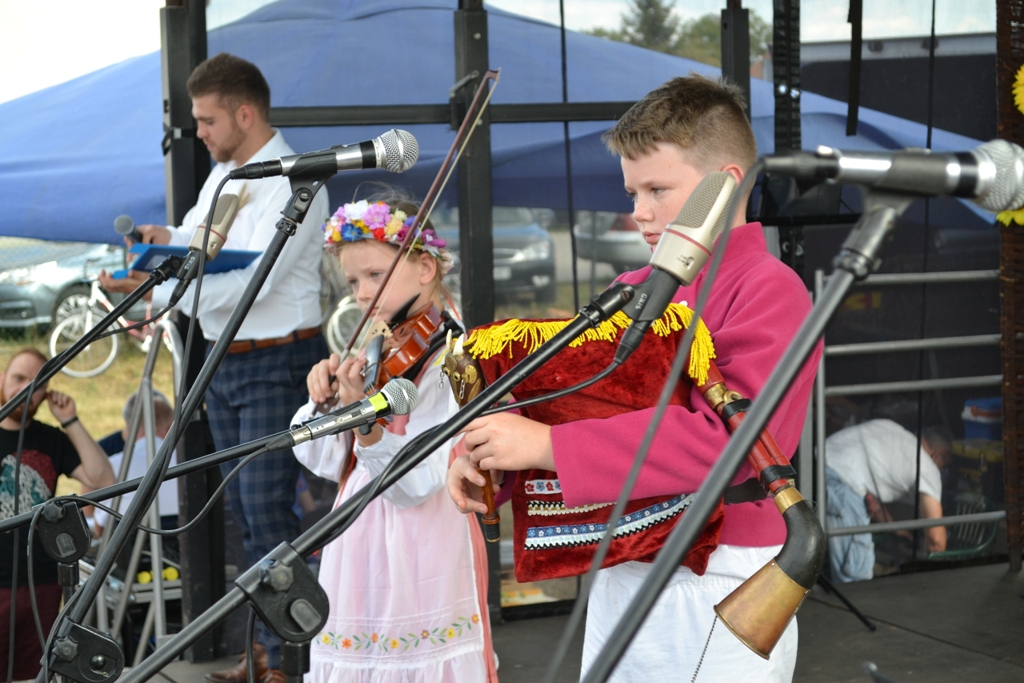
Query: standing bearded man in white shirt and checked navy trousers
(262, 382)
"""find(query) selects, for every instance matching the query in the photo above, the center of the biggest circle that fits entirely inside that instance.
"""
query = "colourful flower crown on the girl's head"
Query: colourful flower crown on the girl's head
(362, 221)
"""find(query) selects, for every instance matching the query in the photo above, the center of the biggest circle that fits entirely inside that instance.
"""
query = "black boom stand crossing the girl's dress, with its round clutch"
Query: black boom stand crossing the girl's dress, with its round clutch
(283, 590)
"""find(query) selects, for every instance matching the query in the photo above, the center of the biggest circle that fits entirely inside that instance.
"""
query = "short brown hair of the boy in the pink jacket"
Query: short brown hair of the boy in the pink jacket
(705, 117)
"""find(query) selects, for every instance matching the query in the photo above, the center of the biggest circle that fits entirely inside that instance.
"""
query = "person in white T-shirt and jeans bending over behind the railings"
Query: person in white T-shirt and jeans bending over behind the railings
(869, 466)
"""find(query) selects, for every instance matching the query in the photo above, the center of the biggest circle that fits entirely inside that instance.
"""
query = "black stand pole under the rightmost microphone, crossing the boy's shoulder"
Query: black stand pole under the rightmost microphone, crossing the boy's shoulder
(857, 261)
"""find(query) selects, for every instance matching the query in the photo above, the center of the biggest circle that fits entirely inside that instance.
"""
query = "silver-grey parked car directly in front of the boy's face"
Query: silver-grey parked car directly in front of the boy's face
(611, 238)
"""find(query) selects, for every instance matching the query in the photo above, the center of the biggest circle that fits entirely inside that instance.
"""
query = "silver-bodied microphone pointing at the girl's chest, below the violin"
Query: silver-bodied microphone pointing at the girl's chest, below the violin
(399, 397)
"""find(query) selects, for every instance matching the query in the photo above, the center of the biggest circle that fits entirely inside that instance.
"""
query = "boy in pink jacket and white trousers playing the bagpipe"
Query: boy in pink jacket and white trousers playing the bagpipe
(668, 143)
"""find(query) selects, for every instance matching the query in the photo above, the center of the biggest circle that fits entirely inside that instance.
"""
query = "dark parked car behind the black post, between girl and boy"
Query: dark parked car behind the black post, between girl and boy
(524, 252)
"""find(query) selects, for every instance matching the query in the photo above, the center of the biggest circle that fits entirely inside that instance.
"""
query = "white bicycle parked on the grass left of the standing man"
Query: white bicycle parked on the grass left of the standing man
(99, 356)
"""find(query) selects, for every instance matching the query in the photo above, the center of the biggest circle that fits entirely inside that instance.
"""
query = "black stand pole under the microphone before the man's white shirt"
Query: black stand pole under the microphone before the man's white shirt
(84, 654)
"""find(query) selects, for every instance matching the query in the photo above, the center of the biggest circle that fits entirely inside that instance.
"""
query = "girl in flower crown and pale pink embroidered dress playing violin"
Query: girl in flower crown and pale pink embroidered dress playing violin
(408, 581)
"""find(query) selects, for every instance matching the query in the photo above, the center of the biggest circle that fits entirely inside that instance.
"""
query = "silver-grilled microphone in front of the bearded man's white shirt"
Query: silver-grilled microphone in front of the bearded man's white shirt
(396, 151)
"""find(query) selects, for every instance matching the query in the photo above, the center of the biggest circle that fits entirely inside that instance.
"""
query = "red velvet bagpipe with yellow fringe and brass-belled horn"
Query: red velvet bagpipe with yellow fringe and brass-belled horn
(551, 540)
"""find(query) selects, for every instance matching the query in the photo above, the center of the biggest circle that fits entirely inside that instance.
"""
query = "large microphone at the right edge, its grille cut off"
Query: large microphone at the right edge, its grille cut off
(992, 176)
